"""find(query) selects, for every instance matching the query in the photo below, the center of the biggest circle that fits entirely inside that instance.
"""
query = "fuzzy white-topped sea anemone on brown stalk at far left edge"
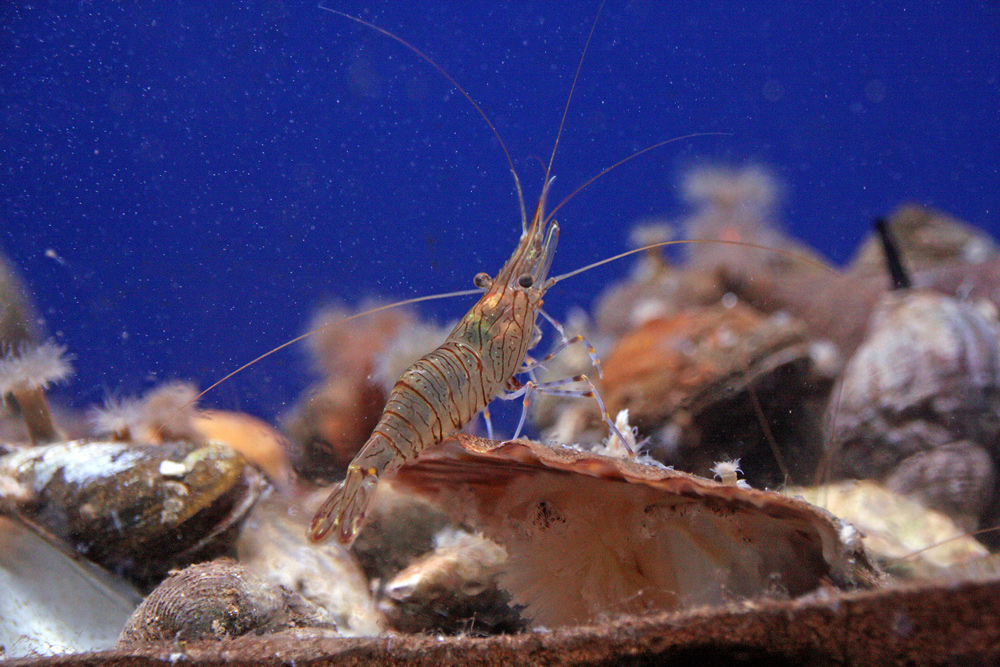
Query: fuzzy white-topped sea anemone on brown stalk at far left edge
(25, 373)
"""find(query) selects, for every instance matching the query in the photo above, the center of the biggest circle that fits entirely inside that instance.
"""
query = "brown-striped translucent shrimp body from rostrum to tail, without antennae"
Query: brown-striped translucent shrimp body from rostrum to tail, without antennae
(445, 389)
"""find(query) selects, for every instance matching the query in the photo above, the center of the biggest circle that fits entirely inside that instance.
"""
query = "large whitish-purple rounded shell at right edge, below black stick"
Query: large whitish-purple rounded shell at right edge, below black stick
(927, 375)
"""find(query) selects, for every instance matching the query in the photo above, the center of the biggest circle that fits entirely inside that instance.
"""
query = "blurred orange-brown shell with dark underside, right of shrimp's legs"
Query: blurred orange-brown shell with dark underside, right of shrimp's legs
(697, 380)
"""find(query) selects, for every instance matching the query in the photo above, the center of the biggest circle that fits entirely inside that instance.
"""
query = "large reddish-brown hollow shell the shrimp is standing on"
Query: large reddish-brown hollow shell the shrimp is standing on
(590, 536)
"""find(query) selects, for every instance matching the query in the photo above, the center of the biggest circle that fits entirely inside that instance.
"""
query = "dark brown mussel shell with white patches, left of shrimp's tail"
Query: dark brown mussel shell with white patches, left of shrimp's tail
(136, 509)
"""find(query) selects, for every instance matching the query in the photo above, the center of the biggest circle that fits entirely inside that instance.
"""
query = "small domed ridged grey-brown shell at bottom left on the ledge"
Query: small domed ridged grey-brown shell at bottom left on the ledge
(213, 600)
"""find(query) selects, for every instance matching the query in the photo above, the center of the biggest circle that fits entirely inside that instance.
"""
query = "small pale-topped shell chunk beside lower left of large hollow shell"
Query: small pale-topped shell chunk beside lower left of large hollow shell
(454, 589)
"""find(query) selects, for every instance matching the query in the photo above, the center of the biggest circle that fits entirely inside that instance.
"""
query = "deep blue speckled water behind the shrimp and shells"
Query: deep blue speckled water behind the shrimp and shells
(184, 183)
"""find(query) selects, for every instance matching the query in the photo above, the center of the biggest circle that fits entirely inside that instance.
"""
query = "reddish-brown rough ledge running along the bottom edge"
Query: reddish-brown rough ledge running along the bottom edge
(928, 624)
